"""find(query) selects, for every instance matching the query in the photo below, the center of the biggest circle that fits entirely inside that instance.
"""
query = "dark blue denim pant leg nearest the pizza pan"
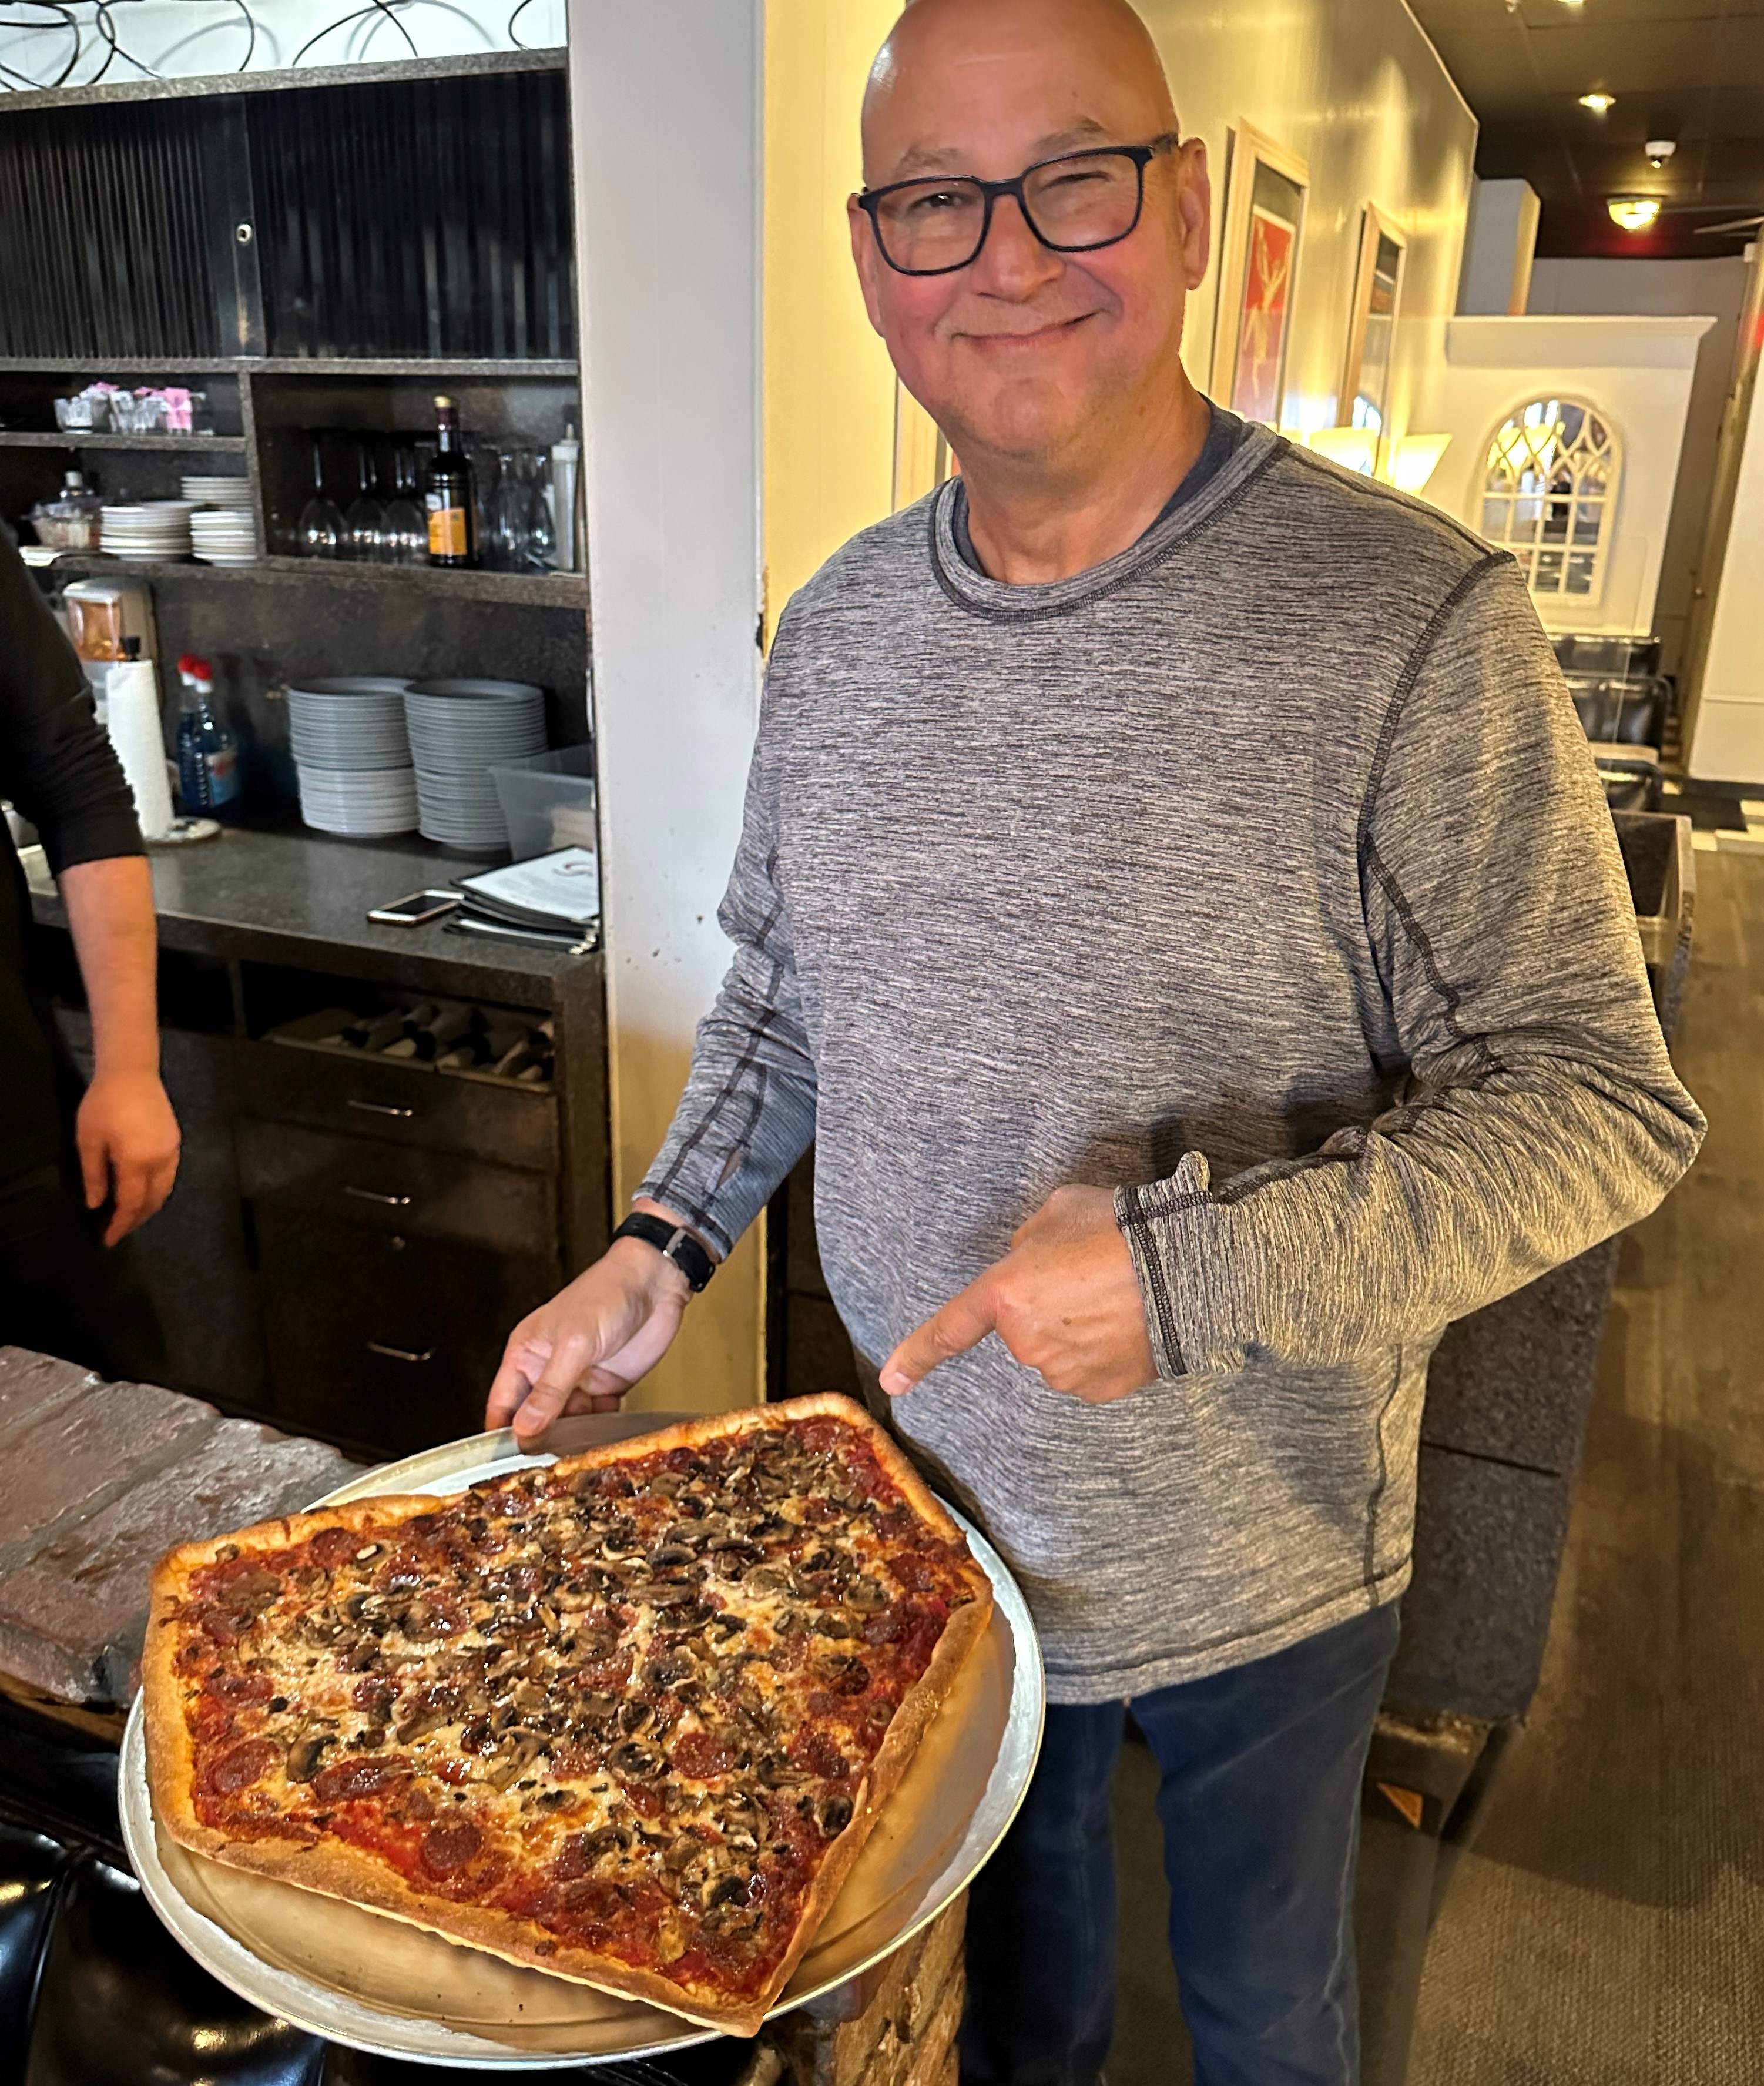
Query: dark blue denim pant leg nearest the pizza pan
(1042, 1918)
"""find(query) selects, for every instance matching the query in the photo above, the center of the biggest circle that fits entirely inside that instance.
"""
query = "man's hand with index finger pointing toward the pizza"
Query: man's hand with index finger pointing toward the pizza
(1064, 1301)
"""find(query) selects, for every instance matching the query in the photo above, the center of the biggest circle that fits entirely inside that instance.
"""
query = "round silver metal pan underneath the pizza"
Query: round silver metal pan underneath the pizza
(395, 1991)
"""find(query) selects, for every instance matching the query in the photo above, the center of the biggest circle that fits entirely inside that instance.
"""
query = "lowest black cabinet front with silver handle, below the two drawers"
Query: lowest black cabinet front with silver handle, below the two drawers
(378, 1340)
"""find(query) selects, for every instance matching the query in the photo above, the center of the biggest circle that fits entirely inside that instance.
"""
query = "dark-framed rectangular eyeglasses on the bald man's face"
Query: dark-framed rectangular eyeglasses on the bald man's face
(1073, 205)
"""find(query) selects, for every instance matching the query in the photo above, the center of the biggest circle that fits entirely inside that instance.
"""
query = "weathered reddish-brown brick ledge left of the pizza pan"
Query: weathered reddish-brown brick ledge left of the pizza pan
(97, 1482)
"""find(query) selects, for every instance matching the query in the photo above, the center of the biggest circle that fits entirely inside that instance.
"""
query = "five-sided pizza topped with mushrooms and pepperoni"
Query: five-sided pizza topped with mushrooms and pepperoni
(627, 1718)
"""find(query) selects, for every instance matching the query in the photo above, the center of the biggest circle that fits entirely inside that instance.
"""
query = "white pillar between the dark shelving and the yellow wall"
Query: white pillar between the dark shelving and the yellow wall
(666, 118)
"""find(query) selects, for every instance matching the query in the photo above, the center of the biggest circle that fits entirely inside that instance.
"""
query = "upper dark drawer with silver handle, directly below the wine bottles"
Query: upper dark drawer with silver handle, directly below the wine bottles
(401, 1102)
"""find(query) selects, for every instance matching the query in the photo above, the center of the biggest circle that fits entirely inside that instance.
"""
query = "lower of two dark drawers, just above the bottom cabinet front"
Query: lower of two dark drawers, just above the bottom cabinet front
(397, 1188)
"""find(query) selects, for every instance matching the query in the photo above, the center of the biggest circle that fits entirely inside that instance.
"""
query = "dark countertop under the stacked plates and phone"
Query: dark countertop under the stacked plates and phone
(301, 898)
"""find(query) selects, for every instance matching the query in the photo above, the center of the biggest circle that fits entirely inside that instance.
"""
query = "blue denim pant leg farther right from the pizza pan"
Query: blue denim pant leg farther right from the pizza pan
(1260, 1808)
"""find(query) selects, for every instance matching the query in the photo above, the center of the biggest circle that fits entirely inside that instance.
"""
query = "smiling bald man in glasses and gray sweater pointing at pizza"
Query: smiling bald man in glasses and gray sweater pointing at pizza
(1177, 900)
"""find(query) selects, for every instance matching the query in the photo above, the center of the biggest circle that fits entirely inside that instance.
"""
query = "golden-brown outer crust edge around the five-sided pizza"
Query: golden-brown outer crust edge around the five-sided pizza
(345, 1872)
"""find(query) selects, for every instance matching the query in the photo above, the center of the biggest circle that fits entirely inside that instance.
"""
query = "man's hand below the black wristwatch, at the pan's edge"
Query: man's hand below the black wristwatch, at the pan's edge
(589, 1347)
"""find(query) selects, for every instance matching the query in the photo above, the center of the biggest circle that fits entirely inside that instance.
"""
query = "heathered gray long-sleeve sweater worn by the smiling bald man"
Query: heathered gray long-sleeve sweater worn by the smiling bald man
(1260, 875)
